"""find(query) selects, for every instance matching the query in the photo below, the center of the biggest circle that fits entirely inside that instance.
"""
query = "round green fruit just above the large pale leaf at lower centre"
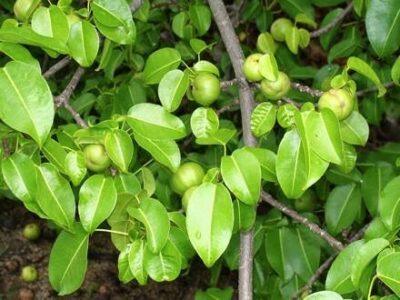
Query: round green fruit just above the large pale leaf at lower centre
(188, 175)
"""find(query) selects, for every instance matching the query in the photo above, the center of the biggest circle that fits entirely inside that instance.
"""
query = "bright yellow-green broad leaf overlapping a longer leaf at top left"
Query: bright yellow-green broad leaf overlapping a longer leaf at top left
(51, 22)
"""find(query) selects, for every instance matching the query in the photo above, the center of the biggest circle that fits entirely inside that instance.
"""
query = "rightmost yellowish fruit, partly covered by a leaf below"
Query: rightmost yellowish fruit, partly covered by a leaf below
(340, 101)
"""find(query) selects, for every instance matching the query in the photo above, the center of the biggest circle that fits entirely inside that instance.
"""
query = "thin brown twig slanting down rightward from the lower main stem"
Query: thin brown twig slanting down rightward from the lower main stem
(336, 244)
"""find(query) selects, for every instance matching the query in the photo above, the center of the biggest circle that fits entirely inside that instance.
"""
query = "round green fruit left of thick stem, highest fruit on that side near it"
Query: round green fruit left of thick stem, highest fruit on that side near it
(205, 88)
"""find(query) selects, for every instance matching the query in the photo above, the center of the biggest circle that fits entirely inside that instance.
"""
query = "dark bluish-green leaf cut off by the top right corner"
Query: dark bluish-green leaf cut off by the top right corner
(385, 38)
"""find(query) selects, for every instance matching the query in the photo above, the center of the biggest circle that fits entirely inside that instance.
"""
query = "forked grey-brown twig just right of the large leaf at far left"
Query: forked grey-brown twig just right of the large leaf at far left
(63, 98)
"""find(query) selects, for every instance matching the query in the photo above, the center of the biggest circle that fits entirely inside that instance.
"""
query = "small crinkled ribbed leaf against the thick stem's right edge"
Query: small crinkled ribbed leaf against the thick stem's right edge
(263, 118)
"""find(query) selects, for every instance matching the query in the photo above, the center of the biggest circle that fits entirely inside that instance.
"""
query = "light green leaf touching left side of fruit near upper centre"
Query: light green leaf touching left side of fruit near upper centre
(172, 88)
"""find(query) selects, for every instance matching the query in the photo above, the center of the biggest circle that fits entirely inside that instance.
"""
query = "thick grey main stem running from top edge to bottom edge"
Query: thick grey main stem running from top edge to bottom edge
(236, 56)
